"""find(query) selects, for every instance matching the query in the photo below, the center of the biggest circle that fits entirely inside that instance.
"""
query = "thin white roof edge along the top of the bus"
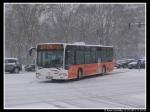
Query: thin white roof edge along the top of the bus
(76, 44)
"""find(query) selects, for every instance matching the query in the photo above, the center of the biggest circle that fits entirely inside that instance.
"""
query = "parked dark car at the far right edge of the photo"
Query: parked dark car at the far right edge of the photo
(136, 64)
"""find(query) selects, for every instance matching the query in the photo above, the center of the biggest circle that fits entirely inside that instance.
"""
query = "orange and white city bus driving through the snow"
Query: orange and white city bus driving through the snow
(72, 61)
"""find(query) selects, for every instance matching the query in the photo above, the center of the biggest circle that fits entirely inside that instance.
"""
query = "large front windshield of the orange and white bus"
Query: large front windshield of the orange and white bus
(50, 58)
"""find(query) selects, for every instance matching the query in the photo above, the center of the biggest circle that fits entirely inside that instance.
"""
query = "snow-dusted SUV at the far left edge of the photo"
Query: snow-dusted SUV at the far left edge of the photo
(12, 65)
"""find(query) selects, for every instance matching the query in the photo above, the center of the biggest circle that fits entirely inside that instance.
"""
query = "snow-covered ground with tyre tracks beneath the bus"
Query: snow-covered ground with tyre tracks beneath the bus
(122, 88)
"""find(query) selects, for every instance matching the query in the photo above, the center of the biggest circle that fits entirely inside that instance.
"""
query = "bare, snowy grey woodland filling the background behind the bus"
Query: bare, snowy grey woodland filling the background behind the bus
(108, 24)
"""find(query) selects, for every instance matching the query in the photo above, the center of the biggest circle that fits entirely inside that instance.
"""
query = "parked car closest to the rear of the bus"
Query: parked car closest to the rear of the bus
(124, 63)
